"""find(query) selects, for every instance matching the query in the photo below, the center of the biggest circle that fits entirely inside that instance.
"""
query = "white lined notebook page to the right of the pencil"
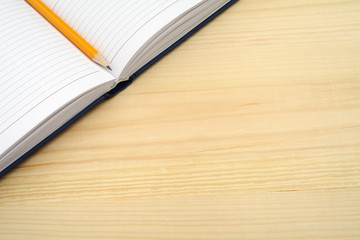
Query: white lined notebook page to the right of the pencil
(118, 28)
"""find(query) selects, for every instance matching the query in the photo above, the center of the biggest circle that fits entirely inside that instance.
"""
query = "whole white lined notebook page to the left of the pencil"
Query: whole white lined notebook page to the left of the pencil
(40, 71)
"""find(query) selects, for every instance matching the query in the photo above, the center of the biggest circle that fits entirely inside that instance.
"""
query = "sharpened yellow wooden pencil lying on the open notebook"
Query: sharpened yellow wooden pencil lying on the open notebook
(65, 29)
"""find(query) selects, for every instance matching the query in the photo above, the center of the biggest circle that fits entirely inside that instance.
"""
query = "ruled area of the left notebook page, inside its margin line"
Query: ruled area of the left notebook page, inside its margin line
(35, 61)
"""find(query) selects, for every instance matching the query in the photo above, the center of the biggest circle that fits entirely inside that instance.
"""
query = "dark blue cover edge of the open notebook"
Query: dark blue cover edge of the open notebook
(121, 86)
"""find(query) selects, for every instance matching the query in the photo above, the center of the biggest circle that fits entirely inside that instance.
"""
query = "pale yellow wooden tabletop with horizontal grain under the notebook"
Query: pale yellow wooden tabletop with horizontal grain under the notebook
(248, 130)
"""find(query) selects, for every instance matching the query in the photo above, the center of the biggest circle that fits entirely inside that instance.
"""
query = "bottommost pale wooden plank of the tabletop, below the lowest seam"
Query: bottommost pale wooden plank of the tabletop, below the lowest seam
(320, 214)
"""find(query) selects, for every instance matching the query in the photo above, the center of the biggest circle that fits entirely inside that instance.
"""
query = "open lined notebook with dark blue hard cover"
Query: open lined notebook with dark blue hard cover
(46, 82)
